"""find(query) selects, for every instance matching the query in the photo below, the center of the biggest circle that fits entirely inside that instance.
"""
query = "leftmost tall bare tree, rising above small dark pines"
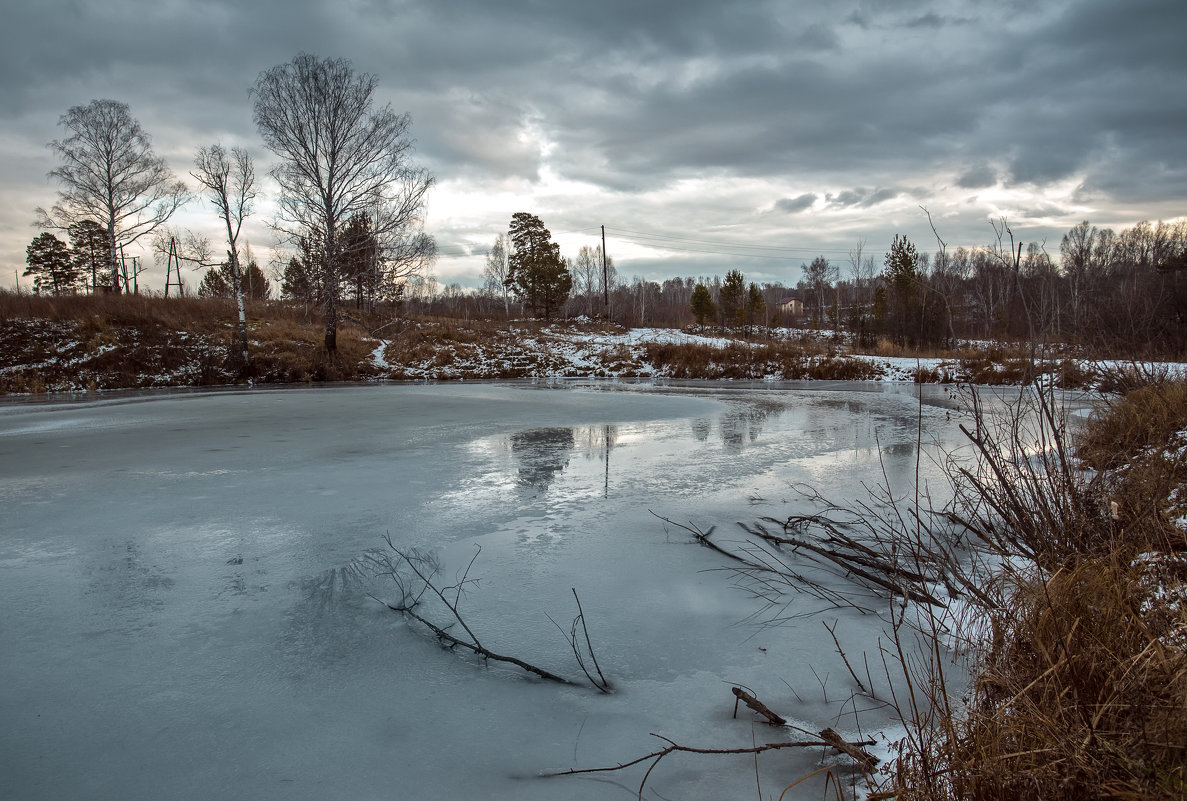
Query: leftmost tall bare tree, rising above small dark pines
(110, 174)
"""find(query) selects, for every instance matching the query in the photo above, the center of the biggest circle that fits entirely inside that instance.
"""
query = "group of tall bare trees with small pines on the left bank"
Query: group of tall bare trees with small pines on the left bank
(350, 198)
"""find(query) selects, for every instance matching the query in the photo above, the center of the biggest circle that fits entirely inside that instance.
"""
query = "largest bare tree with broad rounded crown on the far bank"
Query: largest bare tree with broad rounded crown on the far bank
(339, 157)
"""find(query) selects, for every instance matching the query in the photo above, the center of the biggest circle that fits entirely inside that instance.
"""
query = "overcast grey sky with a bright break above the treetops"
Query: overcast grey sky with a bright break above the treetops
(704, 135)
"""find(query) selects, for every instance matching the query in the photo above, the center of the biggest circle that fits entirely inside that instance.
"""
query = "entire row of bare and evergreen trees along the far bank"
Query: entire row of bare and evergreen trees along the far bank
(351, 205)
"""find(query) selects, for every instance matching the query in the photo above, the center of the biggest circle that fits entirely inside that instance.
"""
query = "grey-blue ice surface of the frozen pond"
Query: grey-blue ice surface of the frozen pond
(175, 628)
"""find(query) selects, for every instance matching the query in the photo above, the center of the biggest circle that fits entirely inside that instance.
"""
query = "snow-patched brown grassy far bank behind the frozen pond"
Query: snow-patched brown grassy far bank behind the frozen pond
(101, 342)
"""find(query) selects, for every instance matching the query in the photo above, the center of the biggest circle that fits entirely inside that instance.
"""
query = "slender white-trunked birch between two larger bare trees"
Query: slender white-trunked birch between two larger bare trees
(231, 186)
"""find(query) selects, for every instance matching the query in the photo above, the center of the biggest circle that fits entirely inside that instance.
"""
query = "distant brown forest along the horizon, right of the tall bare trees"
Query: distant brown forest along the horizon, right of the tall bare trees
(1115, 293)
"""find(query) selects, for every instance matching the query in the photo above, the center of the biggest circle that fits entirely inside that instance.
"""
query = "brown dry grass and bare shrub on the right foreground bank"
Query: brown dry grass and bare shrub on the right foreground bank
(1081, 681)
